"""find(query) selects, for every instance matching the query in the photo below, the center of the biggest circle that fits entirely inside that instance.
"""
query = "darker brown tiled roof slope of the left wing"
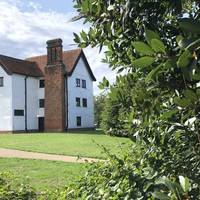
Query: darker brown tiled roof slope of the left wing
(14, 65)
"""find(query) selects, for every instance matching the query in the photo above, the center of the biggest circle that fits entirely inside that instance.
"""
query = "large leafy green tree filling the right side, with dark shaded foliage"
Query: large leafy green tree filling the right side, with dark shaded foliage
(158, 43)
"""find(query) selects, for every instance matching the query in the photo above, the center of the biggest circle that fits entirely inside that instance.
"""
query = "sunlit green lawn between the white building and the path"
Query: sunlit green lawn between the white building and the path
(76, 144)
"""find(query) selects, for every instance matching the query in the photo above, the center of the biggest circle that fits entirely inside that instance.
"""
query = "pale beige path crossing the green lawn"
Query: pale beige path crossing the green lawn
(10, 153)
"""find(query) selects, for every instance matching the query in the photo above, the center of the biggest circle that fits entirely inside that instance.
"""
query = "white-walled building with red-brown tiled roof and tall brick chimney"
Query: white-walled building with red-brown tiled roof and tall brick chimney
(52, 92)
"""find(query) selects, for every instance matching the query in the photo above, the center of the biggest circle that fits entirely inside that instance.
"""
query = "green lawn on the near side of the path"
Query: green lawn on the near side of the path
(42, 174)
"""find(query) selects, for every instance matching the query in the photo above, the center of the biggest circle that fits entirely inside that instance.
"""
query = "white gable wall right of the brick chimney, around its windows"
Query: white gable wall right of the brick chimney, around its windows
(87, 114)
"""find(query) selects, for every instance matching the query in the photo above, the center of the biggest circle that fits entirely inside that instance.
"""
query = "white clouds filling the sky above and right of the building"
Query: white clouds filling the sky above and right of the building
(25, 28)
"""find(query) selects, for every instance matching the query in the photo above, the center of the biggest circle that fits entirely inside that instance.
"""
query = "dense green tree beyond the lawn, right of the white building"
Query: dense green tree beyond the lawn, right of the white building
(117, 106)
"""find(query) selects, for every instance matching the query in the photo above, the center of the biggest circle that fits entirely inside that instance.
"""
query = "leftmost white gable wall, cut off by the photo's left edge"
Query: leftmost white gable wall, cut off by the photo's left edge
(6, 102)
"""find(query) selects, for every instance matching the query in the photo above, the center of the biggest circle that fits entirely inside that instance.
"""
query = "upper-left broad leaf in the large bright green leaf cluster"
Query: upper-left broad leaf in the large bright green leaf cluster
(143, 48)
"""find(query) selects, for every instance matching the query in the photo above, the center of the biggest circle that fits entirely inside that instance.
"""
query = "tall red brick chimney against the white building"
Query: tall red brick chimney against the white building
(54, 87)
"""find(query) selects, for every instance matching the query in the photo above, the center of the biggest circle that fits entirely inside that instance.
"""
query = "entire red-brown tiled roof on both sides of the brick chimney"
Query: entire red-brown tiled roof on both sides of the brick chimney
(35, 66)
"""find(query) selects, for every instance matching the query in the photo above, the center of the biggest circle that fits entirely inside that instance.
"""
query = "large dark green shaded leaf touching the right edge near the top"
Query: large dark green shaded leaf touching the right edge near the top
(189, 25)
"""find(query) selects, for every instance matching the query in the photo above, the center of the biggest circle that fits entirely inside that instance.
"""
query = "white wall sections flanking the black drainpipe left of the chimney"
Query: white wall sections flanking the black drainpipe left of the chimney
(18, 91)
